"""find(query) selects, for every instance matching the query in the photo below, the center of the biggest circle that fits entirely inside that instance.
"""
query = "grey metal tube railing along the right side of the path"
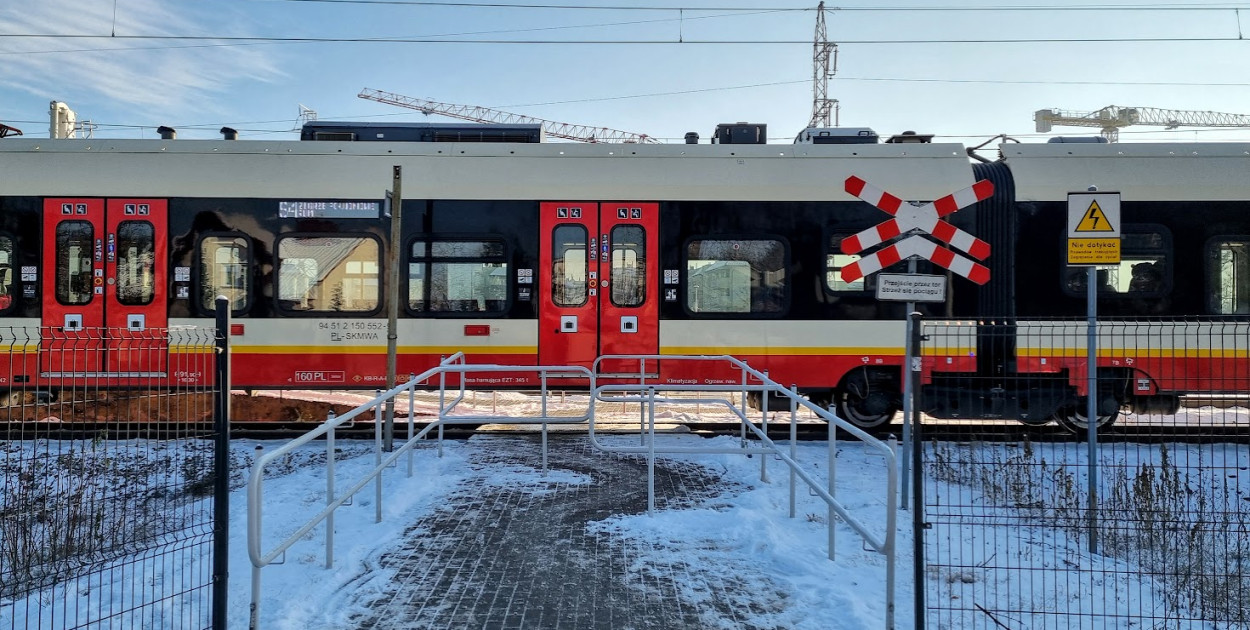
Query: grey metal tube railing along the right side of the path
(647, 393)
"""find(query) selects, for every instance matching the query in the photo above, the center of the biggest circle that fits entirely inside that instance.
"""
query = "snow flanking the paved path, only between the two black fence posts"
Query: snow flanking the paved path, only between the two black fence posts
(748, 529)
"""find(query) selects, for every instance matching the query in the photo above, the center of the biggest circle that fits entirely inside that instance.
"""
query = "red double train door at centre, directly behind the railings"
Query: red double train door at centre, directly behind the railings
(599, 278)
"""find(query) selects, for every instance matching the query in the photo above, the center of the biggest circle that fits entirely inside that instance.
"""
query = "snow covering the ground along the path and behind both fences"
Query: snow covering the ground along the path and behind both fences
(748, 527)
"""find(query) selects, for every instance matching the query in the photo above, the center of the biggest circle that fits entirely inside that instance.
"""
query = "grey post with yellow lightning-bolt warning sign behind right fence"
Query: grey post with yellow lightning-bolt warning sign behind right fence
(1093, 241)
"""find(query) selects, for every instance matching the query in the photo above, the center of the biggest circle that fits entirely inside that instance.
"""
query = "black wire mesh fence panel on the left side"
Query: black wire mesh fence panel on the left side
(107, 478)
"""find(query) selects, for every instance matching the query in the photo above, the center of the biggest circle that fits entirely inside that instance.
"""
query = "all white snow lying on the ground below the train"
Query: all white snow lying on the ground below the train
(748, 522)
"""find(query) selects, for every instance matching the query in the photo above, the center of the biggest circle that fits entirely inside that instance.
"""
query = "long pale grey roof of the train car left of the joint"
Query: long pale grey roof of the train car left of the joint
(473, 171)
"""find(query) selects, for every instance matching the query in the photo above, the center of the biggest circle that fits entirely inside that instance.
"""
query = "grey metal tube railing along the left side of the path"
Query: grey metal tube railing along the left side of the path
(454, 364)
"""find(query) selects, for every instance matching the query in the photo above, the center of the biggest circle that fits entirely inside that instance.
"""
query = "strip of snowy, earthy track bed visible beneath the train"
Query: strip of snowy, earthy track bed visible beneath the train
(289, 414)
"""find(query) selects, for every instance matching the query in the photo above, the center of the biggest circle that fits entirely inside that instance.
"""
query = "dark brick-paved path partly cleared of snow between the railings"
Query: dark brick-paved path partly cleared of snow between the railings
(511, 558)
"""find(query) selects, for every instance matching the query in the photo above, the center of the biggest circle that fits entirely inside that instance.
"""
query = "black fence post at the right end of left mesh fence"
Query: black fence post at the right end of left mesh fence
(222, 466)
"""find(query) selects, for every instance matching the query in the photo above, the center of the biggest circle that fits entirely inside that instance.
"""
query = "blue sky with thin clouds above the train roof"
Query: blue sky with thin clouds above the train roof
(963, 92)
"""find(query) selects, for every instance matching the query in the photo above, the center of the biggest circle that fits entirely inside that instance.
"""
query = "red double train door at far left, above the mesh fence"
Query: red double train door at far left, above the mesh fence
(106, 276)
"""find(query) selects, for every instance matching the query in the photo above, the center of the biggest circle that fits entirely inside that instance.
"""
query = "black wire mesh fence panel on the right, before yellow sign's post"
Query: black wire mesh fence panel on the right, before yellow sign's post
(1143, 524)
